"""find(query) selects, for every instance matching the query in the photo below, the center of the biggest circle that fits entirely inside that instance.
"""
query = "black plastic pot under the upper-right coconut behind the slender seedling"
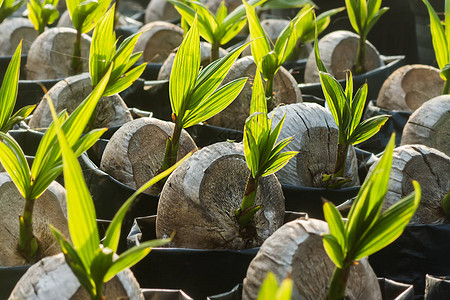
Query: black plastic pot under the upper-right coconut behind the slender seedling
(374, 78)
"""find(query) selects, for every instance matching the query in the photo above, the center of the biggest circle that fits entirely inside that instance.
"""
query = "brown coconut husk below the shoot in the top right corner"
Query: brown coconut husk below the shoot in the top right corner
(409, 87)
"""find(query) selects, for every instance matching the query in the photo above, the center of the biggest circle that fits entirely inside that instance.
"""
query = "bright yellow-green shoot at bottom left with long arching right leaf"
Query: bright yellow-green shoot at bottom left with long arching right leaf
(94, 262)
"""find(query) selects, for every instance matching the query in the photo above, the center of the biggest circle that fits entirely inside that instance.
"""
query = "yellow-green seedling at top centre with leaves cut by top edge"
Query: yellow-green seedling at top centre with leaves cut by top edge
(217, 29)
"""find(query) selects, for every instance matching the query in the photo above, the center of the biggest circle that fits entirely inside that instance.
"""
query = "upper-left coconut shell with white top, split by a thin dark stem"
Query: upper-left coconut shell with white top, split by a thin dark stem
(50, 55)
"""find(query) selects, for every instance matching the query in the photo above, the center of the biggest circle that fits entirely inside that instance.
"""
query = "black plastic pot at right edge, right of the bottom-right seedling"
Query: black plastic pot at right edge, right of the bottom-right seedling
(420, 250)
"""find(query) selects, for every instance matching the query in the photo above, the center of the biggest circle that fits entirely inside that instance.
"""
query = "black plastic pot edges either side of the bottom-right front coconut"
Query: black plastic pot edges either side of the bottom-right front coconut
(390, 290)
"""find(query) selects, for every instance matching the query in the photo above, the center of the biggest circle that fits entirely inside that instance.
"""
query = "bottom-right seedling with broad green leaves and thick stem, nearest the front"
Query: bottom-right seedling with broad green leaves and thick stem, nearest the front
(367, 230)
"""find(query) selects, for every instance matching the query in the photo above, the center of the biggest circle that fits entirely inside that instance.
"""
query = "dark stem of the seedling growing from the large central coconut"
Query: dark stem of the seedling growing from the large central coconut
(245, 213)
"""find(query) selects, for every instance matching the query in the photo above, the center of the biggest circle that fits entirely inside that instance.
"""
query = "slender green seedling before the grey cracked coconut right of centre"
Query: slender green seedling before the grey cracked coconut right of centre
(347, 110)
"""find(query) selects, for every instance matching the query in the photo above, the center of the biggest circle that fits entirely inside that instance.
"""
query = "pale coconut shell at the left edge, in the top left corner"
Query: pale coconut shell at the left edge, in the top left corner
(12, 31)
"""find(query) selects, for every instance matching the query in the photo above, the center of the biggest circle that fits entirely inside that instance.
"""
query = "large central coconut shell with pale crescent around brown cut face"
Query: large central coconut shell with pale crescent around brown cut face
(199, 199)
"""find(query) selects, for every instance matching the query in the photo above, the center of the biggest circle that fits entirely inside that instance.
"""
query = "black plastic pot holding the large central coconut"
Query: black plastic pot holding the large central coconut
(199, 273)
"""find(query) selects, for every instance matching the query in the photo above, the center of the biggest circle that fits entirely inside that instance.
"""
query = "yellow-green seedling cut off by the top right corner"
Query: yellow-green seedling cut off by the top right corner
(440, 32)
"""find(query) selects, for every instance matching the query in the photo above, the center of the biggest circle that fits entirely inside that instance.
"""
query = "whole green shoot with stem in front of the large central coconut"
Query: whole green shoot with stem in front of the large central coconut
(262, 153)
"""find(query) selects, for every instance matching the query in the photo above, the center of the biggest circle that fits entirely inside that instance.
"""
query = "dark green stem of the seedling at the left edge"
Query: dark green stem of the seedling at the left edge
(27, 241)
